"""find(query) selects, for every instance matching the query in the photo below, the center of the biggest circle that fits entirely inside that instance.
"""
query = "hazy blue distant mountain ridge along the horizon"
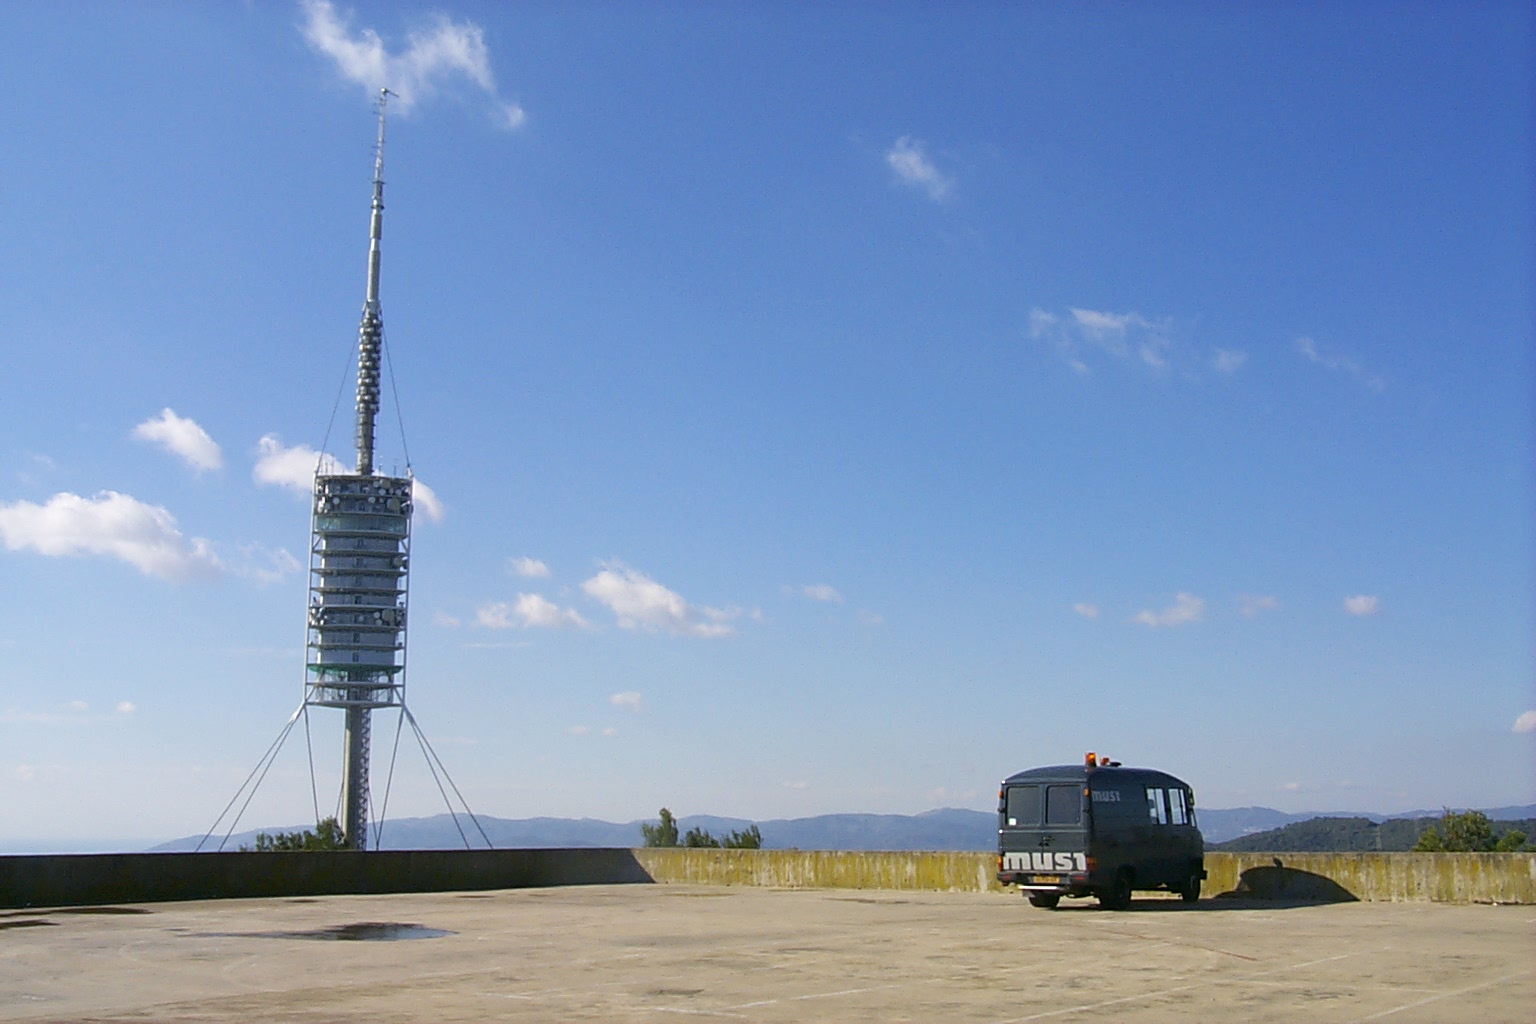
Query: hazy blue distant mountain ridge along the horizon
(942, 830)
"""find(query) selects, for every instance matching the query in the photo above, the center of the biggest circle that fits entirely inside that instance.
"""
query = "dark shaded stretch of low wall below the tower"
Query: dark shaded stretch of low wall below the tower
(94, 879)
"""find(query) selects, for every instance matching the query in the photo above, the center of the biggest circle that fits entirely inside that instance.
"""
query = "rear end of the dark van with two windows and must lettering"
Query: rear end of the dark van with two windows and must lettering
(1044, 833)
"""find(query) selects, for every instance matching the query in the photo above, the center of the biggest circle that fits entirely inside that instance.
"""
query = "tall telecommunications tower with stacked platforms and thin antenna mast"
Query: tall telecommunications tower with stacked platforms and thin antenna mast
(360, 564)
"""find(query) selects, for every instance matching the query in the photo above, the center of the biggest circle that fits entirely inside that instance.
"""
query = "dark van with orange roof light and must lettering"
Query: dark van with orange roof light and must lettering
(1097, 830)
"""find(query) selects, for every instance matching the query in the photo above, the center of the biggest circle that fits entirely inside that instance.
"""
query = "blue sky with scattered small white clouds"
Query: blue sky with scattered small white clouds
(830, 408)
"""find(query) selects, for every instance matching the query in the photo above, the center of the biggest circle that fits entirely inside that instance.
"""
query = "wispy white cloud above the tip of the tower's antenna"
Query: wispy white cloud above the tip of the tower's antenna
(443, 51)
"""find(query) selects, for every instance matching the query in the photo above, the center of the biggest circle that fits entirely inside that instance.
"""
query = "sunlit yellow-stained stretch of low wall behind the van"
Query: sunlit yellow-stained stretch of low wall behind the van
(1437, 877)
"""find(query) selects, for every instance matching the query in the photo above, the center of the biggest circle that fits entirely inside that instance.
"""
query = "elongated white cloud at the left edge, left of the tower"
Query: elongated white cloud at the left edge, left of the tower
(111, 524)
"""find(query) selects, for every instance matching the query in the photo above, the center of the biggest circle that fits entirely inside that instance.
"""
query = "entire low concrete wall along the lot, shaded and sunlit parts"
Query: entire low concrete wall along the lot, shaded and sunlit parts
(96, 879)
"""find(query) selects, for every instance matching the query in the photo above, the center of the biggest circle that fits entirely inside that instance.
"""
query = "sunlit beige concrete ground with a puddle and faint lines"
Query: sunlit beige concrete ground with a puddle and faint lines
(677, 953)
